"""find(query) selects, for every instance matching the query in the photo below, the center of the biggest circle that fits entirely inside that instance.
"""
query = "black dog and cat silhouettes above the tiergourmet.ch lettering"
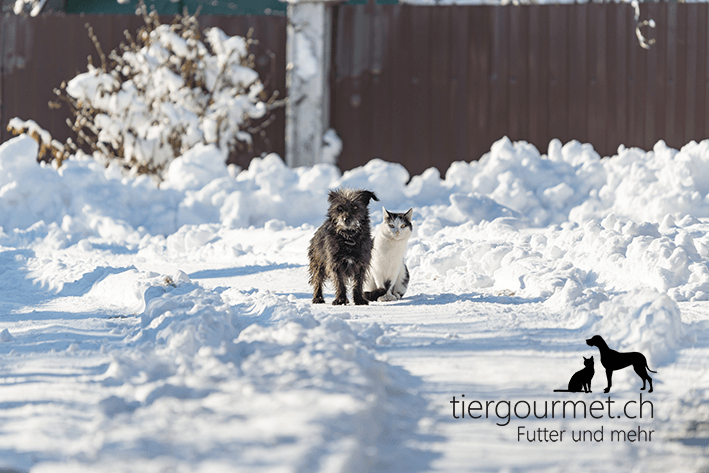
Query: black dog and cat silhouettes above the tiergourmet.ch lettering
(611, 360)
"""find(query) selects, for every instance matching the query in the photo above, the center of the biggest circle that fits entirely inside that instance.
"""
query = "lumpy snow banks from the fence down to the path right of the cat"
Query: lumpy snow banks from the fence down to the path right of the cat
(562, 227)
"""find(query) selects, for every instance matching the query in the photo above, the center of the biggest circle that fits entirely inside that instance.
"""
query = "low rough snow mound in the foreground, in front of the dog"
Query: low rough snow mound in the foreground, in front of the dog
(238, 354)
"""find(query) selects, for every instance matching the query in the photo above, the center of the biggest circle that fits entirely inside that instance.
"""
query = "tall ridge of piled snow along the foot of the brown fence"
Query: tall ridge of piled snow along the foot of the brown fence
(570, 183)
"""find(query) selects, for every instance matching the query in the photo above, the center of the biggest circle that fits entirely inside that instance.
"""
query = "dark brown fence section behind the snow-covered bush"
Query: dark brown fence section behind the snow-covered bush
(37, 54)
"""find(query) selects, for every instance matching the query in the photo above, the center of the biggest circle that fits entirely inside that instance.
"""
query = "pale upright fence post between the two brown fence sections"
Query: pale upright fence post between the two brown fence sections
(307, 80)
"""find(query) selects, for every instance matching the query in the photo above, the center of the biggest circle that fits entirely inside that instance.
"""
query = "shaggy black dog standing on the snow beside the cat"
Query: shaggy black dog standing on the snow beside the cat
(342, 246)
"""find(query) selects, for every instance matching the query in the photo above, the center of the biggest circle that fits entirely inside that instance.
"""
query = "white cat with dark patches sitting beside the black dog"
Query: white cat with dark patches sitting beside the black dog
(388, 276)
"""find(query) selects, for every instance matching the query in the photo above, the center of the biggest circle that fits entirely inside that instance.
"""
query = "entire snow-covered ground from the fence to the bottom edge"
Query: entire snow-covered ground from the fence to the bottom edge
(170, 329)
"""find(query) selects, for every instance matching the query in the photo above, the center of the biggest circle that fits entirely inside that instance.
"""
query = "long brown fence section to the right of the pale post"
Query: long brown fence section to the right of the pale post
(426, 86)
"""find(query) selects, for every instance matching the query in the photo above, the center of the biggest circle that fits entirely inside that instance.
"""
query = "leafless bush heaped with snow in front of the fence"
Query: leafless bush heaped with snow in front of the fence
(167, 89)
